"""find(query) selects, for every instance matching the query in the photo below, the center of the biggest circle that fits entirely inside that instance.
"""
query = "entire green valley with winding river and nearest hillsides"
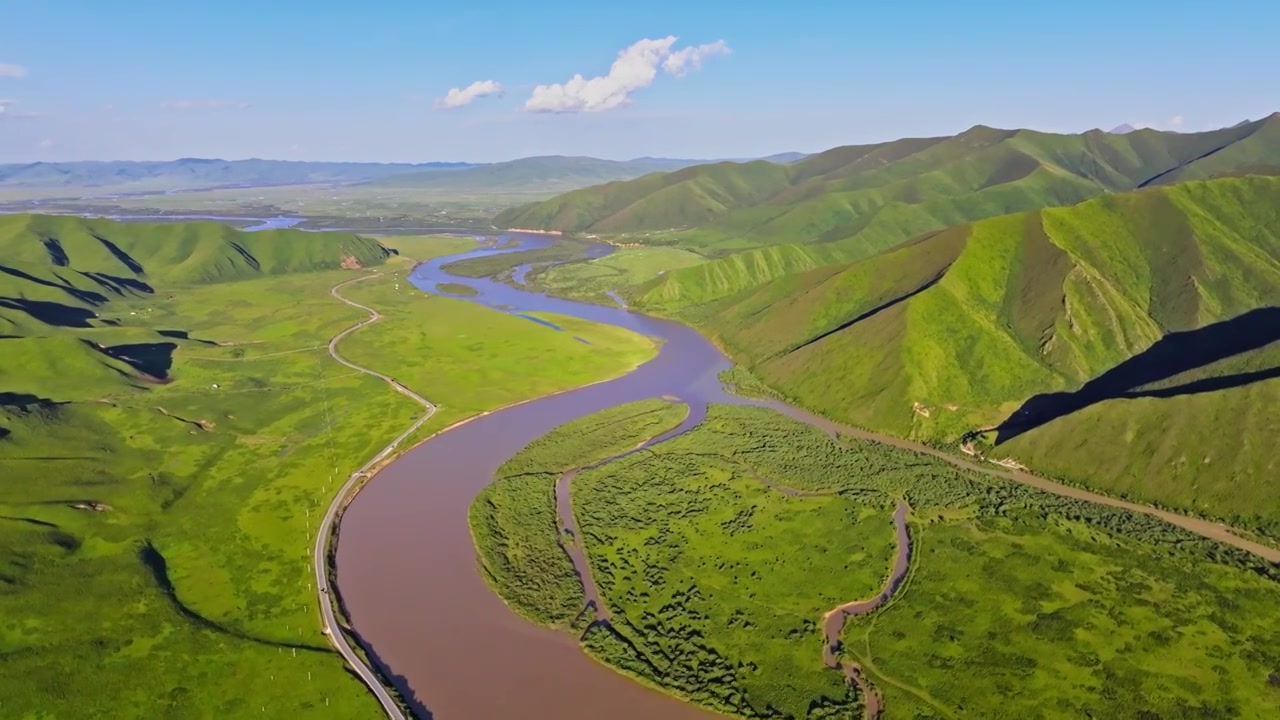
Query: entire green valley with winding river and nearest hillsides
(847, 535)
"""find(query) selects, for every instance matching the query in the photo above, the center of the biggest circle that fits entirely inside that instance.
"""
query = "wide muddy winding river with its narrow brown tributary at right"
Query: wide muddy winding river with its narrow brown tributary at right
(409, 576)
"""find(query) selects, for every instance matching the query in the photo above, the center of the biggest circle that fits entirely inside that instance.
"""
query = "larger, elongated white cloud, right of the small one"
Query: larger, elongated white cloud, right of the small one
(636, 69)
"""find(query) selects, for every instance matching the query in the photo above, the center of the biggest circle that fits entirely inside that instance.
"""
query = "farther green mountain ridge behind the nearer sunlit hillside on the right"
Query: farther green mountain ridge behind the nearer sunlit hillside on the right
(762, 221)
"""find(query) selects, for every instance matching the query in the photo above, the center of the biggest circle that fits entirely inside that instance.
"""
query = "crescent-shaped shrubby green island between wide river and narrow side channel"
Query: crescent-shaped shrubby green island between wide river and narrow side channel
(514, 521)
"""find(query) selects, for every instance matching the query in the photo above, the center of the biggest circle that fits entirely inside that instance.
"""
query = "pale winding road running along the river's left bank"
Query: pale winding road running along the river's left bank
(332, 630)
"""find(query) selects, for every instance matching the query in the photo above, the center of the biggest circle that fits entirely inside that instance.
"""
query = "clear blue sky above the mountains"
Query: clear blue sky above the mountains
(363, 81)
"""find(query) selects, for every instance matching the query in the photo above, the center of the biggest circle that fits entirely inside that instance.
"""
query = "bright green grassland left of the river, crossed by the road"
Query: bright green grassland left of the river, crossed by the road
(171, 436)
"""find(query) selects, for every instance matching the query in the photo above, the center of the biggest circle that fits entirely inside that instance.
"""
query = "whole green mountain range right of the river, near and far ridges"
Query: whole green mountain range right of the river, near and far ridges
(1100, 307)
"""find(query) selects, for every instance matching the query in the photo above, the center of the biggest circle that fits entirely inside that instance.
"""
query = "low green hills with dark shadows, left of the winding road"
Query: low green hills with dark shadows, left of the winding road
(62, 272)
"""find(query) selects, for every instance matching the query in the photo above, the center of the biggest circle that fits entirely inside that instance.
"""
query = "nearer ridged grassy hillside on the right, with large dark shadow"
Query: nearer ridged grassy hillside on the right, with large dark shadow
(1096, 343)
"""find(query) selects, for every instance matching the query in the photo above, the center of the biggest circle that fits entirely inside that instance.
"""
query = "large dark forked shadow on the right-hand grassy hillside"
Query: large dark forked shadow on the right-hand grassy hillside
(1171, 357)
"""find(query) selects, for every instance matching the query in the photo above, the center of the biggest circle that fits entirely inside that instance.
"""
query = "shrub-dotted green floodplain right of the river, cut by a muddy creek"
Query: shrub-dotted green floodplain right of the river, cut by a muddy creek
(719, 553)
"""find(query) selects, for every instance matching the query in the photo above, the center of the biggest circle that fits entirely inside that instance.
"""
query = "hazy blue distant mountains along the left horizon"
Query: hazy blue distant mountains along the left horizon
(190, 174)
